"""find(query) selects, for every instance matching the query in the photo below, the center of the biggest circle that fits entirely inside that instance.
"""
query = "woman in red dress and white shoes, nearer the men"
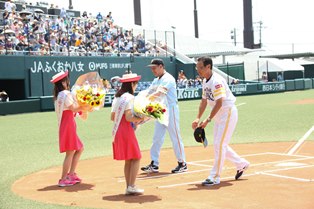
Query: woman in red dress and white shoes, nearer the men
(125, 145)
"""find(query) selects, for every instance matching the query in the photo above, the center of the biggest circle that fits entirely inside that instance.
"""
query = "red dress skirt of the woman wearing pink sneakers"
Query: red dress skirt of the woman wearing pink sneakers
(68, 138)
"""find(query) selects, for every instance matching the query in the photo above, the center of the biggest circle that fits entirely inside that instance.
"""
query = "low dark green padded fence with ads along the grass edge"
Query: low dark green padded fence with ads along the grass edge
(45, 103)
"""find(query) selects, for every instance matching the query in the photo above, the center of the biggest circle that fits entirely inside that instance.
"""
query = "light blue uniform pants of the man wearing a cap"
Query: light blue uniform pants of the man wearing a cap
(174, 133)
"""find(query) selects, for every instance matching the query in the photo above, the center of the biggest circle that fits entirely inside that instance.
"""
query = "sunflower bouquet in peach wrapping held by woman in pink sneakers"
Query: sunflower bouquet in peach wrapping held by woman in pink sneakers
(89, 90)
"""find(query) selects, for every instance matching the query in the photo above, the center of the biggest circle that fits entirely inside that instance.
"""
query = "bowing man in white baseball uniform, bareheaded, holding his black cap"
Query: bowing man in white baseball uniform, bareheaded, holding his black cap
(216, 93)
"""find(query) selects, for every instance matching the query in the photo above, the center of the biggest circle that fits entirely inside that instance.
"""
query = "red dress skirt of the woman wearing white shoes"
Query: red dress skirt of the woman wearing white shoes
(125, 145)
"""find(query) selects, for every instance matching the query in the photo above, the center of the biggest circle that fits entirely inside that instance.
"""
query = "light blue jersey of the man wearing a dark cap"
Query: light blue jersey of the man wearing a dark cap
(168, 82)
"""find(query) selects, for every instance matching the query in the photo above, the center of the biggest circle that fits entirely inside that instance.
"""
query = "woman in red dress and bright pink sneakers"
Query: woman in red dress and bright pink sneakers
(69, 142)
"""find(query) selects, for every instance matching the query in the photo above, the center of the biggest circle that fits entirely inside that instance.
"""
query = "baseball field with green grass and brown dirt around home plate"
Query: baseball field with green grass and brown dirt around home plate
(275, 132)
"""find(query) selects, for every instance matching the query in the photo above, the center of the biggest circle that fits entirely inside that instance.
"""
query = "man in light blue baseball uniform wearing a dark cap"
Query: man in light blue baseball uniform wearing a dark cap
(164, 83)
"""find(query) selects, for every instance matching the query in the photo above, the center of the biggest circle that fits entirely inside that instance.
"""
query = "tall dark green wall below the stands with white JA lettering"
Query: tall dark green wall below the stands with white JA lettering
(25, 77)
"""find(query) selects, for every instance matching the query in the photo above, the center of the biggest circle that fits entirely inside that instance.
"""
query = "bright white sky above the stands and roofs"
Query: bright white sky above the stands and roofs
(287, 26)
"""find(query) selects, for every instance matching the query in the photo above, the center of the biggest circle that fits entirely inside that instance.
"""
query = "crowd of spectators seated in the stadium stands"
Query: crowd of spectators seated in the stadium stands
(36, 33)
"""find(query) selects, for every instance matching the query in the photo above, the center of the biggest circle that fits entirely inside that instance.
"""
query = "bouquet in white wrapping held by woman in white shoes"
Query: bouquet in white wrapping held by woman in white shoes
(156, 109)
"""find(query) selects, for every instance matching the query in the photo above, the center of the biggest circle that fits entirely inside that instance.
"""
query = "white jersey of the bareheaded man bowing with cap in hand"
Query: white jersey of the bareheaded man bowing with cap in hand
(215, 88)
